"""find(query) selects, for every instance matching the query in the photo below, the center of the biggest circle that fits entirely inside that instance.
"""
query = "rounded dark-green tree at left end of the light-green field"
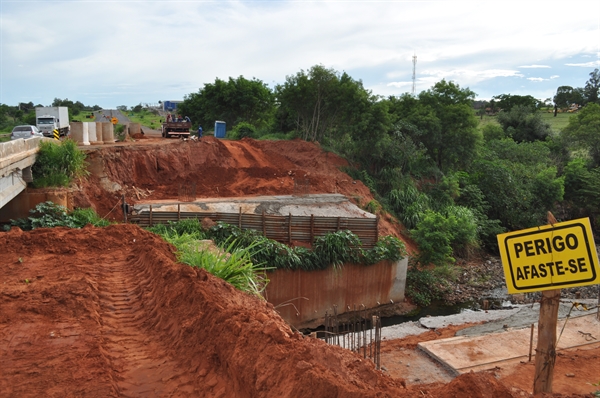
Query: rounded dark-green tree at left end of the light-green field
(523, 123)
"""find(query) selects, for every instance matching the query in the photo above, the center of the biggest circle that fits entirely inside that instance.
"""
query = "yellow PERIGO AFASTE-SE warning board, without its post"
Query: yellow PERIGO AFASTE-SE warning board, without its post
(550, 257)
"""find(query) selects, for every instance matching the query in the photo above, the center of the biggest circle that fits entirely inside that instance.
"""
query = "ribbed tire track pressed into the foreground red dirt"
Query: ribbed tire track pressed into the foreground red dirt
(142, 364)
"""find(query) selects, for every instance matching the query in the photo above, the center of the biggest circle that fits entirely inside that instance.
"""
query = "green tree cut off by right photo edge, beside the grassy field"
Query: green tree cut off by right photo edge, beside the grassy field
(583, 132)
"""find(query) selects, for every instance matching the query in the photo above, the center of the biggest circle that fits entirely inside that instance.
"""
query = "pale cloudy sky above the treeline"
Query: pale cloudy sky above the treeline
(126, 52)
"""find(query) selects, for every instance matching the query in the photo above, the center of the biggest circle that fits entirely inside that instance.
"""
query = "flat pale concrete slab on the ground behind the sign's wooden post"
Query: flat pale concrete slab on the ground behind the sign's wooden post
(462, 354)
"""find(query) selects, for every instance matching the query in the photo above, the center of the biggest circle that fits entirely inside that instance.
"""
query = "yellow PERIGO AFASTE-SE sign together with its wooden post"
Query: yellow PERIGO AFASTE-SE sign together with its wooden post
(548, 258)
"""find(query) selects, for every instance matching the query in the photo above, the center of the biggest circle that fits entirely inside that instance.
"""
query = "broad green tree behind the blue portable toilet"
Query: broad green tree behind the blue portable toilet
(233, 101)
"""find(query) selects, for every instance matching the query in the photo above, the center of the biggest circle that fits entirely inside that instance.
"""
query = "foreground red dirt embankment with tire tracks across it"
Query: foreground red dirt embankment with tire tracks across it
(107, 312)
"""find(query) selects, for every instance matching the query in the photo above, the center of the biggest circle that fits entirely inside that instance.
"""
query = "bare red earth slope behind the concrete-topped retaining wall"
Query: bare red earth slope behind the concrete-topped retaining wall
(220, 168)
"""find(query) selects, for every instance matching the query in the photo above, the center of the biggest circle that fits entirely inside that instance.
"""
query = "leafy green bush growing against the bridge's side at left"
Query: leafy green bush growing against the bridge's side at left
(57, 165)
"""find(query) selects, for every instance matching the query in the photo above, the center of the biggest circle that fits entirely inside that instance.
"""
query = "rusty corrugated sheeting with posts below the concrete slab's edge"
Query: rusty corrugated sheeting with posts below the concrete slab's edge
(280, 228)
